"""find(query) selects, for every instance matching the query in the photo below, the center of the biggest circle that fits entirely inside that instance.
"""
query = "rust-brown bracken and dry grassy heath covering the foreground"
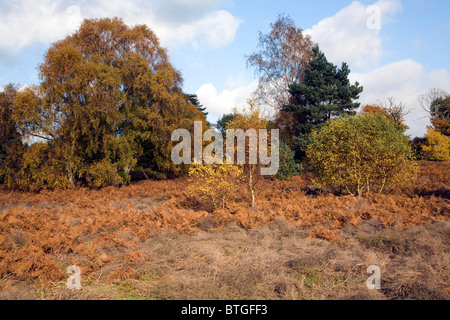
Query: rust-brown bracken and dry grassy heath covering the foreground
(150, 240)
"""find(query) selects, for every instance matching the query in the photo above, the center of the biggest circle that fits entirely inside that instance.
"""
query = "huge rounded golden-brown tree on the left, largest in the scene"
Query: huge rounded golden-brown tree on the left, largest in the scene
(107, 103)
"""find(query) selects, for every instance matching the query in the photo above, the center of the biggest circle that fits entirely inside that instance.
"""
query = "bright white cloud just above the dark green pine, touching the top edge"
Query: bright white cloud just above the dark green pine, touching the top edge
(346, 36)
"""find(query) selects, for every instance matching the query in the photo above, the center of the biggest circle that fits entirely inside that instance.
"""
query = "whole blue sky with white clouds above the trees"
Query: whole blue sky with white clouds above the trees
(394, 48)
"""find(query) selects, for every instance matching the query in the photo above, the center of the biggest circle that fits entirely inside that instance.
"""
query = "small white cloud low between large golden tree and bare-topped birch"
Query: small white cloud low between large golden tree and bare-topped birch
(218, 104)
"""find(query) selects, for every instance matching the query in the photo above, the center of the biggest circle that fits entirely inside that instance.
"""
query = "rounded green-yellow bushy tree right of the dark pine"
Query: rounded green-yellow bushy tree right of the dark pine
(360, 153)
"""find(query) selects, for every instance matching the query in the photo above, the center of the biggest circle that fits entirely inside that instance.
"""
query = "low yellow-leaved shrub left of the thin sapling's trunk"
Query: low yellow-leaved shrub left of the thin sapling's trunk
(213, 185)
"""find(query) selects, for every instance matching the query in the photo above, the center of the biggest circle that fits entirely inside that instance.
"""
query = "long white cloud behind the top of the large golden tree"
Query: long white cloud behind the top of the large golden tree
(176, 22)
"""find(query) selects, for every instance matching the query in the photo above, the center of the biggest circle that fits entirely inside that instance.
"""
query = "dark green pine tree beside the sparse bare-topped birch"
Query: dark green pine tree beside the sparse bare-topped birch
(325, 93)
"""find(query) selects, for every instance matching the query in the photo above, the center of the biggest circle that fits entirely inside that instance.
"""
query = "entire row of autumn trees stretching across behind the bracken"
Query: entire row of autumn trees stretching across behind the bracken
(109, 99)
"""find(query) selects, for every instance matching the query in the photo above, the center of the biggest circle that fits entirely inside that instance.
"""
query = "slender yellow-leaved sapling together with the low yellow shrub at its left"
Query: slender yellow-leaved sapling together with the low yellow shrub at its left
(215, 184)
